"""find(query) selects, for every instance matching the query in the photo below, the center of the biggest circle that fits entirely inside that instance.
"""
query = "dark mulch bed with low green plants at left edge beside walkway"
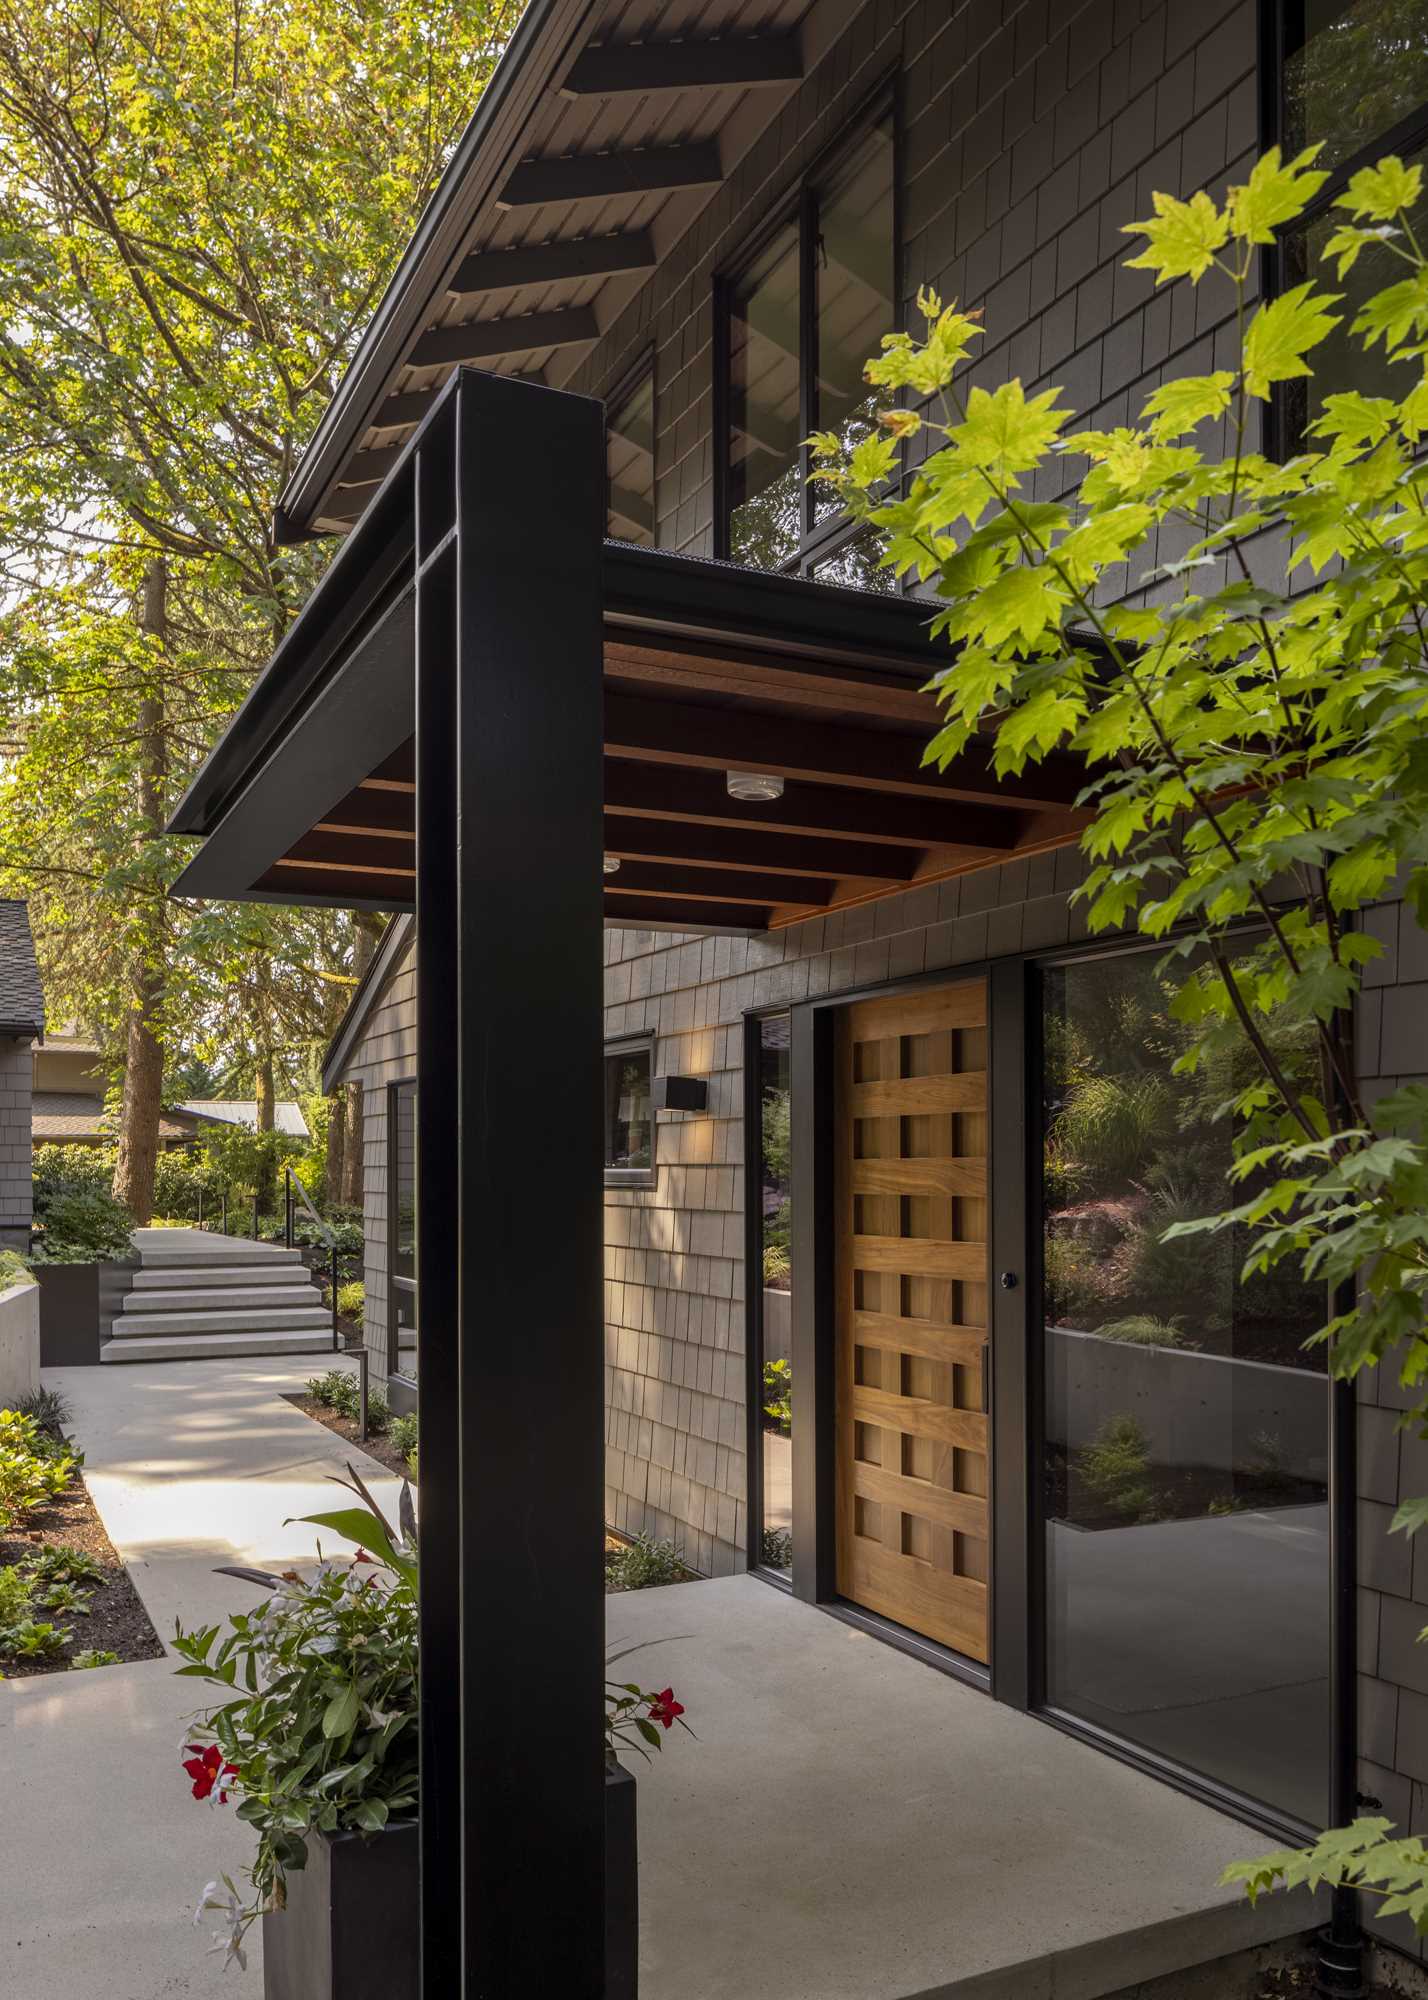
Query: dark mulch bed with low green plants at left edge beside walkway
(61, 1549)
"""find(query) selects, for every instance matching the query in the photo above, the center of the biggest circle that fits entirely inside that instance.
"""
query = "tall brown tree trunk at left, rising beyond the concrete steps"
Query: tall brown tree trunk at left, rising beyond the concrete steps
(143, 1101)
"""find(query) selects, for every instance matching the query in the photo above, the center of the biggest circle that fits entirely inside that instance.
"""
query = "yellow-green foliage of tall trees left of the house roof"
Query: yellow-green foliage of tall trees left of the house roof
(199, 207)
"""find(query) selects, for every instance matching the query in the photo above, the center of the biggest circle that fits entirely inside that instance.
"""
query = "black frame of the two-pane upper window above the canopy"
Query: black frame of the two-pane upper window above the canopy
(819, 541)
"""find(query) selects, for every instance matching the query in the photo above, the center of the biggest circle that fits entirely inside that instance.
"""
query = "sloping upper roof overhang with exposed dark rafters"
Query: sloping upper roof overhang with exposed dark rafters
(601, 137)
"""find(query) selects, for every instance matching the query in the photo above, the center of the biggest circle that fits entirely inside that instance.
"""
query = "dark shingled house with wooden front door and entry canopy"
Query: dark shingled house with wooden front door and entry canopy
(853, 1023)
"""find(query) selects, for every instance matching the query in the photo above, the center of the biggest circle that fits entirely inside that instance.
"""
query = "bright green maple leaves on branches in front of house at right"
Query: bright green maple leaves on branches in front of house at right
(1239, 651)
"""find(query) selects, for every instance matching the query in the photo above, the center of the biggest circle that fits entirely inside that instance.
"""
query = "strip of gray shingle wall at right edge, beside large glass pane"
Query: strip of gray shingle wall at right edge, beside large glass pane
(1393, 1465)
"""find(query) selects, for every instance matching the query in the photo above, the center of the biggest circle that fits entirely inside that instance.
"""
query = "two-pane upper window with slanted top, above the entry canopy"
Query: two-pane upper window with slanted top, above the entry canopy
(797, 327)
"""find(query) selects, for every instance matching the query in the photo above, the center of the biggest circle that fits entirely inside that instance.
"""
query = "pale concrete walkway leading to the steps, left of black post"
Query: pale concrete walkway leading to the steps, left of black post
(103, 1851)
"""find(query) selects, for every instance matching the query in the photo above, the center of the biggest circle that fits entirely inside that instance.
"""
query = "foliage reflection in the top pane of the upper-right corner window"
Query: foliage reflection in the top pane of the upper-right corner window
(1359, 73)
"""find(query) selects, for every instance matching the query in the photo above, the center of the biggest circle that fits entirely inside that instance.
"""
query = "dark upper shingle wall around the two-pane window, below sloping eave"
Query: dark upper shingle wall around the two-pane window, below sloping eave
(1031, 135)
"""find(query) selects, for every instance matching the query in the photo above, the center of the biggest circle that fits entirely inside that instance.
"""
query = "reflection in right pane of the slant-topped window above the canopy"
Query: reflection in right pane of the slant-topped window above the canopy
(855, 283)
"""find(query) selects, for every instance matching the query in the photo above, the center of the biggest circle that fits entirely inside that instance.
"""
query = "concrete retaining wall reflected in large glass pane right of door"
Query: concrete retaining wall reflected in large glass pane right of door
(1195, 1409)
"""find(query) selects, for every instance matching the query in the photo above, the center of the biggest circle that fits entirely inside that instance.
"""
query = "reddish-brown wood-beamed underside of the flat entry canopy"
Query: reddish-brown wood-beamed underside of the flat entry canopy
(861, 815)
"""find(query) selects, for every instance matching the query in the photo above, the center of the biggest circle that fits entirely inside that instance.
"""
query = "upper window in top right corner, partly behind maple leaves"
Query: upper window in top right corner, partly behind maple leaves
(1353, 81)
